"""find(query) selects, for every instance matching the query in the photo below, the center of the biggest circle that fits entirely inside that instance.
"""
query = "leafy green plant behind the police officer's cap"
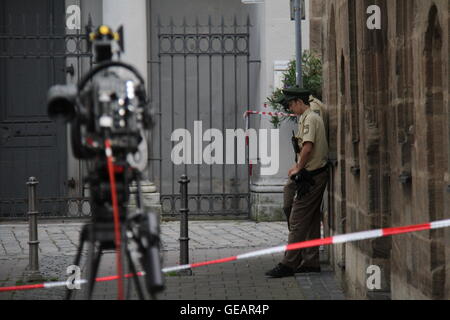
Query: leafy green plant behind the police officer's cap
(312, 80)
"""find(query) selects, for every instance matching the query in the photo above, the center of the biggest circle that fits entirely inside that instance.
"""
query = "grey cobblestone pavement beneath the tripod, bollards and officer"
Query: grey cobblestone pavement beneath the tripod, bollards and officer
(240, 280)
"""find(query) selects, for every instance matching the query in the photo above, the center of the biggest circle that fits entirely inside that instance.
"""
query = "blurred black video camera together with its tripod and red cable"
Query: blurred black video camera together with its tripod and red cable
(106, 106)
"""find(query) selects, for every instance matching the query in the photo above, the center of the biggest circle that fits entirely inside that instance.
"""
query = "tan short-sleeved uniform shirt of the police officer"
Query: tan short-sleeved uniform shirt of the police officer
(312, 129)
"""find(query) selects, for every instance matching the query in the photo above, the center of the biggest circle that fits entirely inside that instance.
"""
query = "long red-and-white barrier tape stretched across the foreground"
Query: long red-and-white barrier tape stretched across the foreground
(351, 237)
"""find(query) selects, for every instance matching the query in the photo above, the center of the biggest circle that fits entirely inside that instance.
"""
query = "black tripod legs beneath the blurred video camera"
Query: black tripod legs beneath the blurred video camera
(140, 227)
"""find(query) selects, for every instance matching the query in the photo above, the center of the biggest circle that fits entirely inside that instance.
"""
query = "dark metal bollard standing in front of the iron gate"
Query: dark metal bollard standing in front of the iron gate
(184, 229)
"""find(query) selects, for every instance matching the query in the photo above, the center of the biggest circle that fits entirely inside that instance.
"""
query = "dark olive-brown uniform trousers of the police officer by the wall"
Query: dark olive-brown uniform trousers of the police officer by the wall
(304, 218)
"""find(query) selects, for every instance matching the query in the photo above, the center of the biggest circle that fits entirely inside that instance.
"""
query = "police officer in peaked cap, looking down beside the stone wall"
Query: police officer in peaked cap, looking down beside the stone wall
(310, 174)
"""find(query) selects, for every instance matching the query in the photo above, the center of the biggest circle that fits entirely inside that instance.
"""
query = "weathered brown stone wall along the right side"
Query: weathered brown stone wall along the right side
(387, 93)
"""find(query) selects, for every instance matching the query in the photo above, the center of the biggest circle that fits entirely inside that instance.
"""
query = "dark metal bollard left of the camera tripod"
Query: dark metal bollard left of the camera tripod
(32, 273)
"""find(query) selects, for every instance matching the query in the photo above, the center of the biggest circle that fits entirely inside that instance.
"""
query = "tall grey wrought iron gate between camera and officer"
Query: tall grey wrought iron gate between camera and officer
(201, 74)
